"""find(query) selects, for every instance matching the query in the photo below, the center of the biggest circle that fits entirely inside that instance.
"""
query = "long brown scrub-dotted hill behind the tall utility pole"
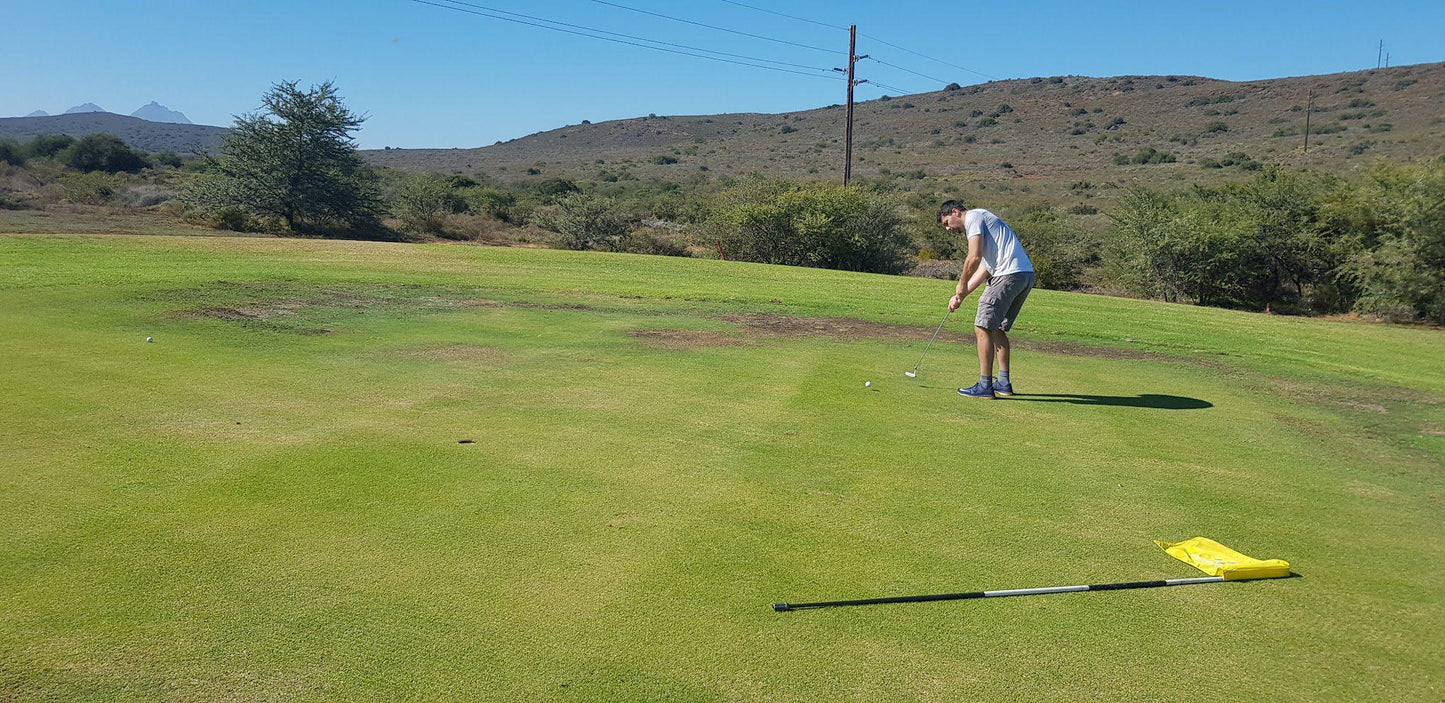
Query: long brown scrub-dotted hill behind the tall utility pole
(1034, 134)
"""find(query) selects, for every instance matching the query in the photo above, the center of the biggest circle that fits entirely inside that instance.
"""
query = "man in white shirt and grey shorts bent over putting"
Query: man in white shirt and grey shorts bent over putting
(995, 255)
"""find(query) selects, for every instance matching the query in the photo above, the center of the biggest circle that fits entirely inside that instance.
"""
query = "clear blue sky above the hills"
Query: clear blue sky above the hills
(440, 79)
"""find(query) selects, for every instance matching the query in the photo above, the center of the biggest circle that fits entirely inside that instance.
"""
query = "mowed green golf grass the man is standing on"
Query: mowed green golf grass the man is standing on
(272, 503)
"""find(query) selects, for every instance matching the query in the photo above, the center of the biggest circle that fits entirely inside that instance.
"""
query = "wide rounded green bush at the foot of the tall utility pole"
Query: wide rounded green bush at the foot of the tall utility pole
(813, 224)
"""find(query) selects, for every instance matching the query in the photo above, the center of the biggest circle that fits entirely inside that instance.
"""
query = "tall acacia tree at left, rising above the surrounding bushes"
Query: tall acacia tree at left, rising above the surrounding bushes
(296, 160)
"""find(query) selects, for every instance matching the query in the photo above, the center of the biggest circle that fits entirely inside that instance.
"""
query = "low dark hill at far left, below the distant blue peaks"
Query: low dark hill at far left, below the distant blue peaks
(134, 131)
